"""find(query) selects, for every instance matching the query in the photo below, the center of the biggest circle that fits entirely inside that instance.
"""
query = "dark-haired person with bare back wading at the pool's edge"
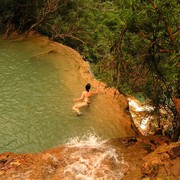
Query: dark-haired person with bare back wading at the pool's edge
(85, 97)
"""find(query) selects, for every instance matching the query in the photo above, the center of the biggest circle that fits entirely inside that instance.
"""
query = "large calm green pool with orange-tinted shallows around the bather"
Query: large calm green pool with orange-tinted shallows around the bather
(36, 95)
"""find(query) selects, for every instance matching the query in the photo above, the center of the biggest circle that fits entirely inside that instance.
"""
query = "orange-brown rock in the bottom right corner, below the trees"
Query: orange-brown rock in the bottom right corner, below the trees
(156, 163)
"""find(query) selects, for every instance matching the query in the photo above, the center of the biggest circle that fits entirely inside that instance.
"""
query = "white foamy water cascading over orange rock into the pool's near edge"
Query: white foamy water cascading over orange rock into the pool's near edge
(91, 158)
